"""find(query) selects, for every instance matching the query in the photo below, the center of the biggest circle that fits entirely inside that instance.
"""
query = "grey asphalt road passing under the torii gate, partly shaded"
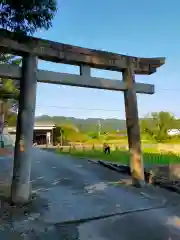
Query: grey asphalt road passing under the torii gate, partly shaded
(76, 199)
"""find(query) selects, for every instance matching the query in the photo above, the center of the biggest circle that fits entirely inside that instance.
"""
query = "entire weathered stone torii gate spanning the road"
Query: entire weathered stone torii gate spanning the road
(31, 49)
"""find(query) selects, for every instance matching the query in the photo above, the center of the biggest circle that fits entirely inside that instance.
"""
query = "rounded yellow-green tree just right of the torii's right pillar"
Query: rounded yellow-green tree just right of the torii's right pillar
(156, 125)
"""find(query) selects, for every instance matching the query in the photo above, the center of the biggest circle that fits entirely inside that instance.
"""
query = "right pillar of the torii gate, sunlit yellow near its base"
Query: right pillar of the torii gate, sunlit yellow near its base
(133, 128)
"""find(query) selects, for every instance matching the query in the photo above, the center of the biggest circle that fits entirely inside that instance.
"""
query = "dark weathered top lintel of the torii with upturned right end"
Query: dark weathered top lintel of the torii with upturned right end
(68, 54)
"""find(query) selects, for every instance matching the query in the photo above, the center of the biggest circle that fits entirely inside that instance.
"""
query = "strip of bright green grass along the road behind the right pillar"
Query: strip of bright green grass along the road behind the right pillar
(150, 156)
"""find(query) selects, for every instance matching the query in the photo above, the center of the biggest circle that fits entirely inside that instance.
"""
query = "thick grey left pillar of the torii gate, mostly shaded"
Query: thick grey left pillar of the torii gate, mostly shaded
(20, 188)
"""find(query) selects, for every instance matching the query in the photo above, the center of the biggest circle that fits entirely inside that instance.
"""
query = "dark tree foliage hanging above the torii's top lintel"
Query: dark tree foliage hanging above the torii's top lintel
(28, 16)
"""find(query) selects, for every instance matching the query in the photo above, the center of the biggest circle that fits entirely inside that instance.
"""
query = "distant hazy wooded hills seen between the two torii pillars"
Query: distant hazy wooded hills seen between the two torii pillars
(89, 124)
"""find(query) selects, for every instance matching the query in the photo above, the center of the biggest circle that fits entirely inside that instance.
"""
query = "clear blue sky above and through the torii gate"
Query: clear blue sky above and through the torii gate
(139, 28)
